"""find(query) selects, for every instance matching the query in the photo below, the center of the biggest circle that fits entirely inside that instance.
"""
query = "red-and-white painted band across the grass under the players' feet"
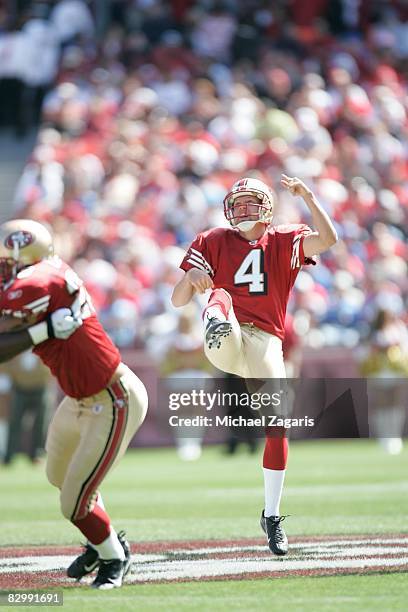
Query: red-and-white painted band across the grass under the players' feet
(152, 562)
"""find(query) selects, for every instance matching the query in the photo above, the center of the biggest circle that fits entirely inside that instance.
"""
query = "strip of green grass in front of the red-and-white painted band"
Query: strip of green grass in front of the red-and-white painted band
(329, 594)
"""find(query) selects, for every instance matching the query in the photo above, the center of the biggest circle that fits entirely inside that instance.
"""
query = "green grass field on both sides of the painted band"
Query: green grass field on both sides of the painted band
(347, 488)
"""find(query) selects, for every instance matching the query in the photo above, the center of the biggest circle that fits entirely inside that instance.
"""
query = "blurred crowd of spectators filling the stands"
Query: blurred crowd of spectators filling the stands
(152, 109)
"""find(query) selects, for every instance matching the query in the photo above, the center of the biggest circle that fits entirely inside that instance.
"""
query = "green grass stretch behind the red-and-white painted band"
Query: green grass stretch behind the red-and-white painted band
(336, 487)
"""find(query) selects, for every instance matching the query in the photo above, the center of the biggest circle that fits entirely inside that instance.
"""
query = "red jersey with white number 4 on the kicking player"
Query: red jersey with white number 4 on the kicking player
(258, 274)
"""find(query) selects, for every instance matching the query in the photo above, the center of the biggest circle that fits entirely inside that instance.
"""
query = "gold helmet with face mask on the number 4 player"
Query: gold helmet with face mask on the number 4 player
(253, 187)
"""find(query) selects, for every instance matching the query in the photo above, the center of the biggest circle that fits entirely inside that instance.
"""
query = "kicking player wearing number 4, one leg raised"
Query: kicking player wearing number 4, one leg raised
(251, 269)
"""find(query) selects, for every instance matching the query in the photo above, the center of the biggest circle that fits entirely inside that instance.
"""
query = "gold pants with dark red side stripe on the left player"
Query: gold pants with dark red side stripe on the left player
(87, 437)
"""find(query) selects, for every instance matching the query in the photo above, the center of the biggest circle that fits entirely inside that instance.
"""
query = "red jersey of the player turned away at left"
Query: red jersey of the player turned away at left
(83, 364)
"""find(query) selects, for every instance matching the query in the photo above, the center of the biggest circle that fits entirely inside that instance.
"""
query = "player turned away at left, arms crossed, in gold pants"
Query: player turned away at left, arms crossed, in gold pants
(104, 404)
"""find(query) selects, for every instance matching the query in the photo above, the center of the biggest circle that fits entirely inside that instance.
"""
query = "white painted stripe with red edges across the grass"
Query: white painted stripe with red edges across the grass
(358, 554)
